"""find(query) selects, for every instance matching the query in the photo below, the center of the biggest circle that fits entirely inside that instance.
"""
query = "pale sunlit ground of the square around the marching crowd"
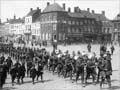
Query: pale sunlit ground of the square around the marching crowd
(53, 82)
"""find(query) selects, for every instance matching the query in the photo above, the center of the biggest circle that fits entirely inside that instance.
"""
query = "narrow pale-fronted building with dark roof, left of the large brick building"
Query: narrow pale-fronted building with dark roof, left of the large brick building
(31, 26)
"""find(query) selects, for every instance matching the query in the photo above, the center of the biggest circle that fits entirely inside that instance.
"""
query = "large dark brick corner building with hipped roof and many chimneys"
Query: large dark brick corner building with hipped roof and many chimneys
(78, 26)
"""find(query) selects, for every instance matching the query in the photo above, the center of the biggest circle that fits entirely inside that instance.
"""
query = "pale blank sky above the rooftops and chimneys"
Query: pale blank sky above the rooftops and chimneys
(21, 7)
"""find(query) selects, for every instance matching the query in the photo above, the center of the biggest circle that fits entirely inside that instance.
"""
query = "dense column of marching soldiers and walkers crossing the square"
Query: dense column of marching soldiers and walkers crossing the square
(35, 61)
